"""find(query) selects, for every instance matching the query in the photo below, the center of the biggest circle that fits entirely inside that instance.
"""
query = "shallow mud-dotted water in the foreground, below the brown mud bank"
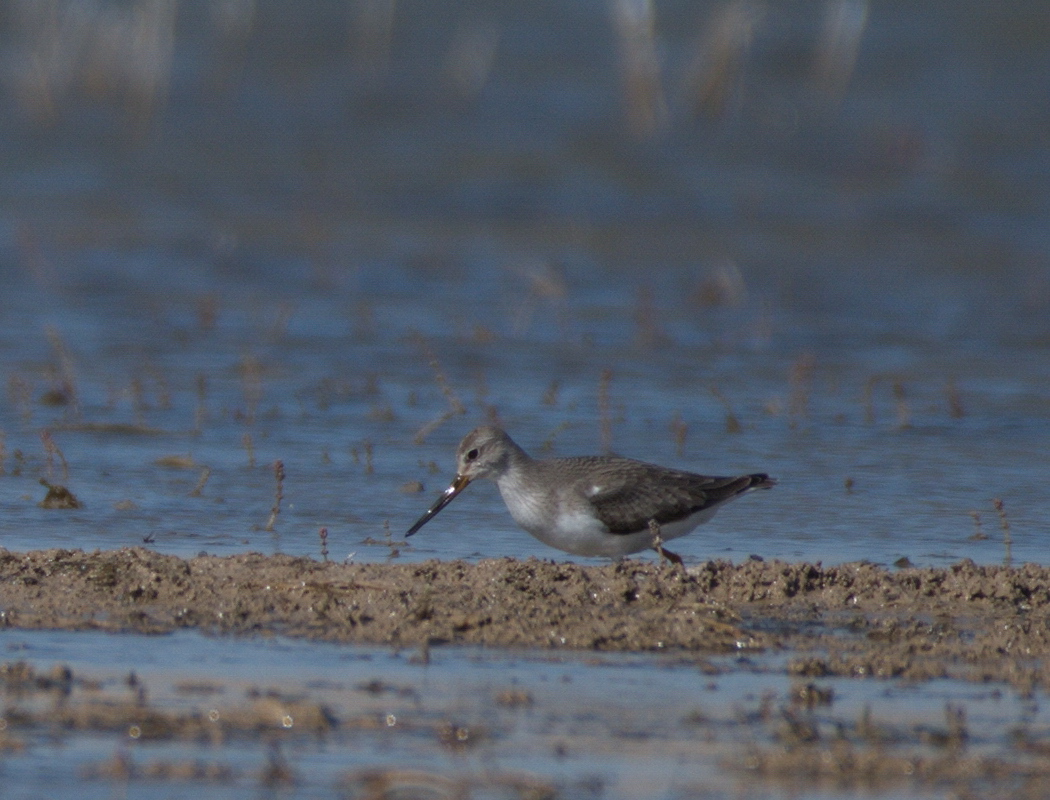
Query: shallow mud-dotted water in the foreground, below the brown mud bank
(576, 726)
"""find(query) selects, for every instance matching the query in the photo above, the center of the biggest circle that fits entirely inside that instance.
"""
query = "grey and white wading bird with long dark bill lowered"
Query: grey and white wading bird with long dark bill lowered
(592, 506)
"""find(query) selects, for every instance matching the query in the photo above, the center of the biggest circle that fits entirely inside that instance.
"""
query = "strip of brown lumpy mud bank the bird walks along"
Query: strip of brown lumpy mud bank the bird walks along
(971, 622)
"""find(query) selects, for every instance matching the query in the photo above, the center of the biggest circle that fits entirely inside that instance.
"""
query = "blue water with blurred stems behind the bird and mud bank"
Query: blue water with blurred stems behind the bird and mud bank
(807, 239)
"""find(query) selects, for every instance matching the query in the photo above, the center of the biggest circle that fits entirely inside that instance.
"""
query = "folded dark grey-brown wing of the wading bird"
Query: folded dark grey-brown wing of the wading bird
(626, 494)
